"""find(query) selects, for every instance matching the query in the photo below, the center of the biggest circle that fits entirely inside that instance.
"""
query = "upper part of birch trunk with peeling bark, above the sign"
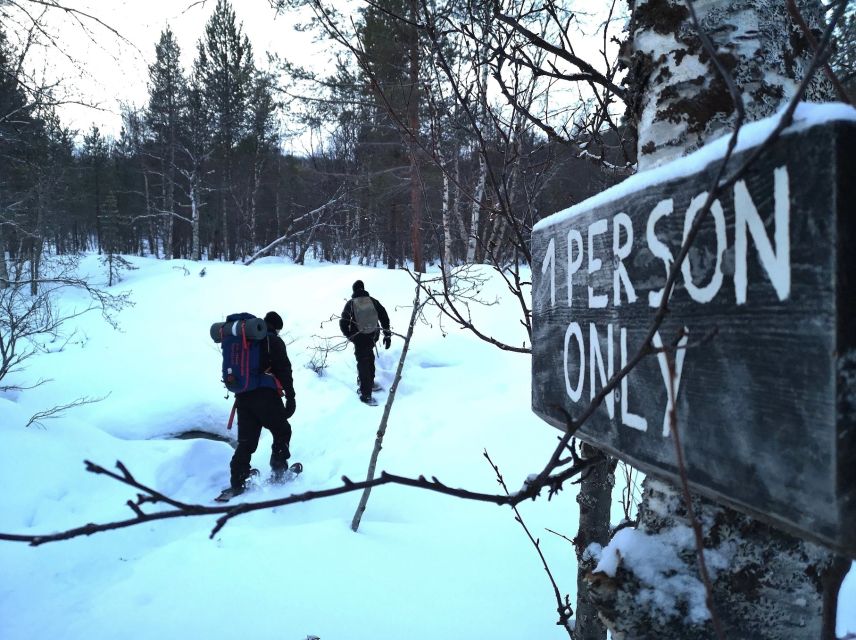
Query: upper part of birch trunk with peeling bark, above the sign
(676, 96)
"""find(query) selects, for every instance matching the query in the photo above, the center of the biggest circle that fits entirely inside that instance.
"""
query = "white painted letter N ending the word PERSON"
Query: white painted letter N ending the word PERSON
(776, 263)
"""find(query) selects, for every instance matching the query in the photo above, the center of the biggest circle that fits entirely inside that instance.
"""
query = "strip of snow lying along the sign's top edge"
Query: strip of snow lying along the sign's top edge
(807, 115)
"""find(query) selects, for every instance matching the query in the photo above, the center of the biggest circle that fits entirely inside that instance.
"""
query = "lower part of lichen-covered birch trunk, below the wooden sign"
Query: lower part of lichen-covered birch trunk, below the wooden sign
(766, 584)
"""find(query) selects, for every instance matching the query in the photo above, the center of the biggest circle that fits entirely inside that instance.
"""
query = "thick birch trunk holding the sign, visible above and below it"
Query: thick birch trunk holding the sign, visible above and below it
(771, 584)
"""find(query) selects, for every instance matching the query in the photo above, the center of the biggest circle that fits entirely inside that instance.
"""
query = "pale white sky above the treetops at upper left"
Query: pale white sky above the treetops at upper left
(98, 67)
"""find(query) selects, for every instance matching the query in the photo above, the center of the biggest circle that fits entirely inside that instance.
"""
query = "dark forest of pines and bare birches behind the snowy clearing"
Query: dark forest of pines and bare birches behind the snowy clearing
(417, 163)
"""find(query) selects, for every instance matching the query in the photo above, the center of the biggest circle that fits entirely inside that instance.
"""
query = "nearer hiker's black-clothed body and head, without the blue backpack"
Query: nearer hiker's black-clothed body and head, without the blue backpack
(263, 407)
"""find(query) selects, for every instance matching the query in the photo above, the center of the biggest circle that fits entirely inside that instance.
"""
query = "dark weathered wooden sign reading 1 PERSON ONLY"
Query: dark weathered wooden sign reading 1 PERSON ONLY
(766, 406)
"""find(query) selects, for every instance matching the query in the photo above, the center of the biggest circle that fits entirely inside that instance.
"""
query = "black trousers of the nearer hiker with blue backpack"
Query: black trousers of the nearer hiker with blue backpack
(256, 409)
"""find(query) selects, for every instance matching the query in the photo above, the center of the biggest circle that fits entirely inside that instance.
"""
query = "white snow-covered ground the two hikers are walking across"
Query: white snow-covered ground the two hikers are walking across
(422, 566)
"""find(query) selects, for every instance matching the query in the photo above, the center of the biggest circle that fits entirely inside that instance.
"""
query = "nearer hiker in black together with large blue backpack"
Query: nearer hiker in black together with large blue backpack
(257, 370)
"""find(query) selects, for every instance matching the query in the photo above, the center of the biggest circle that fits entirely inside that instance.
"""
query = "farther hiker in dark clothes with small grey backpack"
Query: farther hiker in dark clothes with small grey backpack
(359, 324)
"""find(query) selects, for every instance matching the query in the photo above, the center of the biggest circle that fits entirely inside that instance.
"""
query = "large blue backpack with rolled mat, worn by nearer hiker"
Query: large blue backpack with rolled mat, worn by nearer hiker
(241, 338)
